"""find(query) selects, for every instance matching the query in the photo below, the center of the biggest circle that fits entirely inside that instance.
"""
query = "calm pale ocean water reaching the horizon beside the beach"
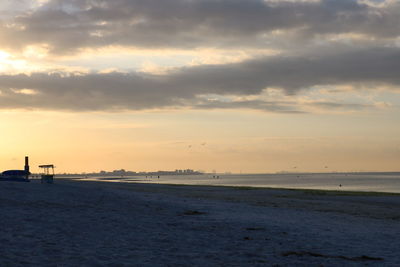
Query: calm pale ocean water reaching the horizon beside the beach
(376, 182)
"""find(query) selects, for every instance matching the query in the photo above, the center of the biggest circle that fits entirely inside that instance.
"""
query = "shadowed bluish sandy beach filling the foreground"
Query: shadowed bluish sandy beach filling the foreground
(78, 223)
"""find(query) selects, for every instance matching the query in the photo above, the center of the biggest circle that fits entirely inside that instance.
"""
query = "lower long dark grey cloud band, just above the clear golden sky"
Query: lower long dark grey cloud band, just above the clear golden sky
(186, 87)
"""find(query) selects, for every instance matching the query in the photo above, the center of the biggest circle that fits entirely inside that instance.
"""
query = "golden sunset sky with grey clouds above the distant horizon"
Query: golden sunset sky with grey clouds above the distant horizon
(249, 86)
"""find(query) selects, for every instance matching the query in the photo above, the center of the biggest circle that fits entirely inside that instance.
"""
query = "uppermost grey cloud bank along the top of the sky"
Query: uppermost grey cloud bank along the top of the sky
(67, 25)
